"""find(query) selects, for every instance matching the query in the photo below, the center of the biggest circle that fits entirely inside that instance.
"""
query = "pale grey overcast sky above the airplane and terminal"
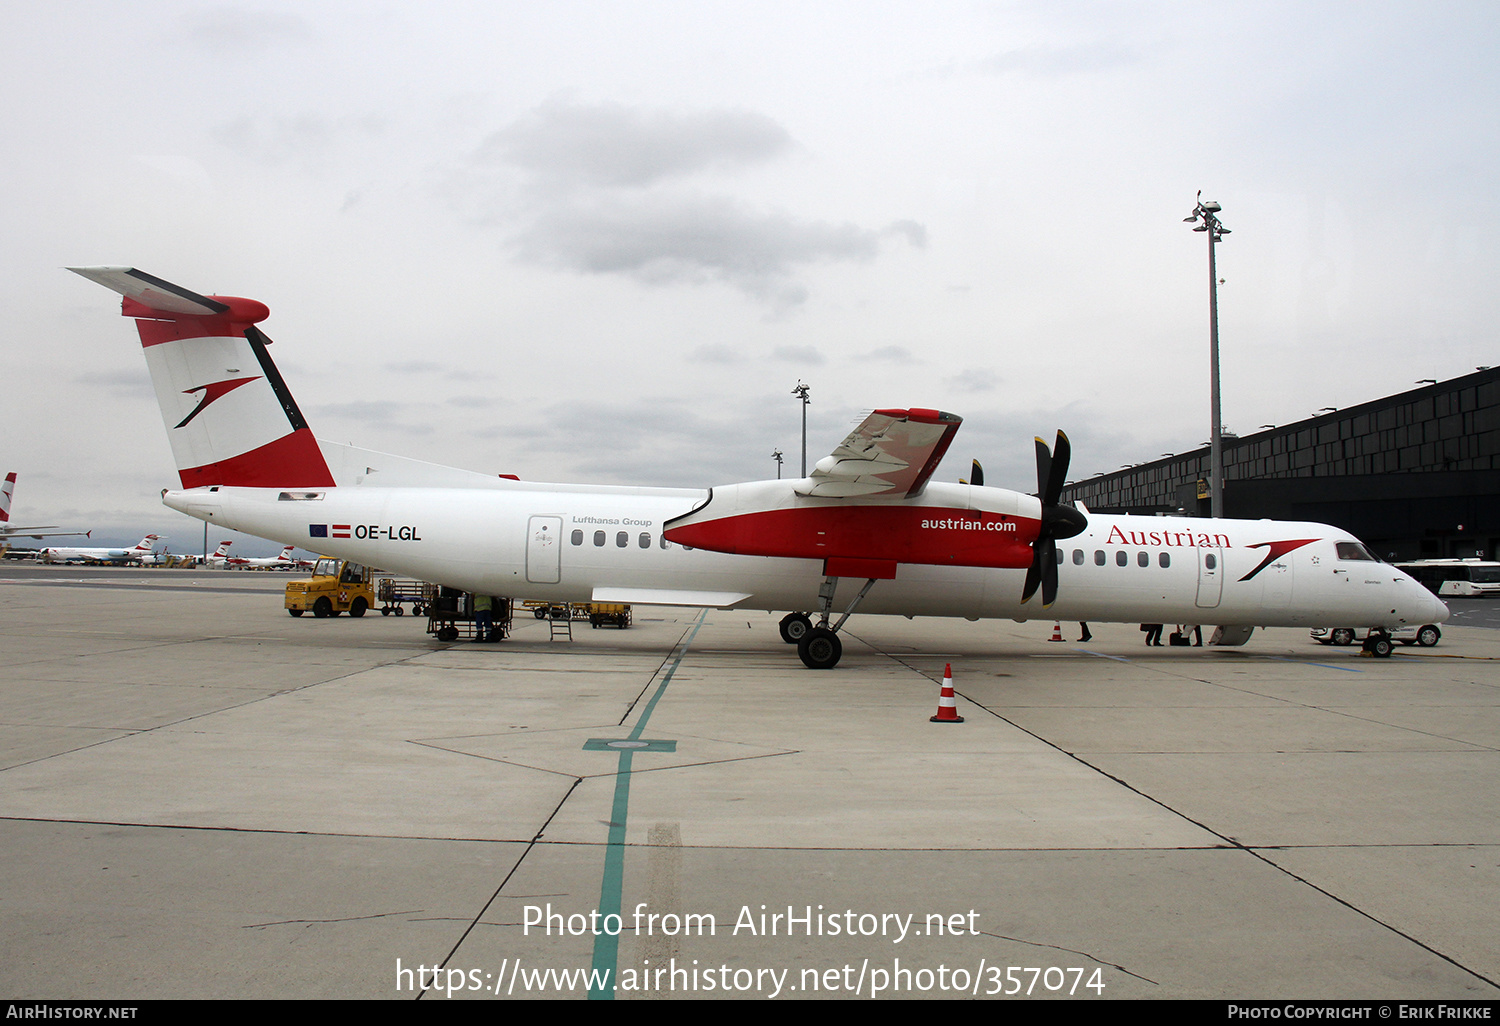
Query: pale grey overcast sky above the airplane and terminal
(602, 242)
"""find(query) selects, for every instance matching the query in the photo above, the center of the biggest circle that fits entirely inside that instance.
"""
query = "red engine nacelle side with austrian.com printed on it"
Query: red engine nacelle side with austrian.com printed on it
(902, 533)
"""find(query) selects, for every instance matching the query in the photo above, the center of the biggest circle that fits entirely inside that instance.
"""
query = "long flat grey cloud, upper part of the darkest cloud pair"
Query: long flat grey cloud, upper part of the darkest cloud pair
(611, 145)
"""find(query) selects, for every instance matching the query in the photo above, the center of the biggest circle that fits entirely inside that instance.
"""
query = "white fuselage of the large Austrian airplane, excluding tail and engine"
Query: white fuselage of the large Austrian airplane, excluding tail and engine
(524, 548)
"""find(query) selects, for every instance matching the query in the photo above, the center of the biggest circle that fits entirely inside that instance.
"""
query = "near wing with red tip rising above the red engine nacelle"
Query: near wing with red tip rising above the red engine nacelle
(892, 454)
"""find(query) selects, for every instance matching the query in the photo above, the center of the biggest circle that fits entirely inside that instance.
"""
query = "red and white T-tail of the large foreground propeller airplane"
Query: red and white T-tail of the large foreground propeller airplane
(229, 415)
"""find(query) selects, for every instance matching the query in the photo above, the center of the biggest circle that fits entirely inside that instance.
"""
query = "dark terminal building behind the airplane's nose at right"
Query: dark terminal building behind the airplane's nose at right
(1417, 476)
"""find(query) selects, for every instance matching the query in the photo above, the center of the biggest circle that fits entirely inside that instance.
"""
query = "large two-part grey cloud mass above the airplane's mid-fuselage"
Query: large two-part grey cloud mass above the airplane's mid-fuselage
(608, 190)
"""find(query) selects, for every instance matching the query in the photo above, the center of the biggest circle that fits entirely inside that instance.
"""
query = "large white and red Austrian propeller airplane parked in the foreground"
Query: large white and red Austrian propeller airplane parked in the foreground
(866, 530)
